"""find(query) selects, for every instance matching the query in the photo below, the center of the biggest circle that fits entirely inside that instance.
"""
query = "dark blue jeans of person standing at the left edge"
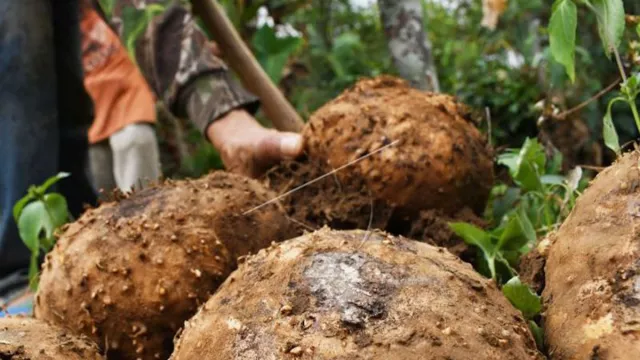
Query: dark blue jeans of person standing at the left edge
(45, 114)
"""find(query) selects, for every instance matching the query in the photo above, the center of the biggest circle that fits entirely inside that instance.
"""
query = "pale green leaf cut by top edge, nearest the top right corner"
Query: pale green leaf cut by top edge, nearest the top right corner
(611, 23)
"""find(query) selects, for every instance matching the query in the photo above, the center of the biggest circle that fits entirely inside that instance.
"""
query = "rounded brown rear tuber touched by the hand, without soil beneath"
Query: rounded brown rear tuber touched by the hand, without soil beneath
(440, 161)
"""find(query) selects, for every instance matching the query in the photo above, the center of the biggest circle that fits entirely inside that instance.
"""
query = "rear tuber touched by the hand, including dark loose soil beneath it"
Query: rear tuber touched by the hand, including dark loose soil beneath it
(439, 170)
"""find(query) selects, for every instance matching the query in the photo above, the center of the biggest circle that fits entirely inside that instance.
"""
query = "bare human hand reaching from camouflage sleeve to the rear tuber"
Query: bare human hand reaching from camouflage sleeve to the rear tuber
(248, 148)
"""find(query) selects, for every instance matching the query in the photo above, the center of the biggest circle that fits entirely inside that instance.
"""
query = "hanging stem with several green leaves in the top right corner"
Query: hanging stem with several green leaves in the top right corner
(611, 25)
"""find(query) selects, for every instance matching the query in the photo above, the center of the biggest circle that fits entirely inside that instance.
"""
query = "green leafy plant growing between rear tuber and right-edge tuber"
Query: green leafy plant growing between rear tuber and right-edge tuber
(537, 203)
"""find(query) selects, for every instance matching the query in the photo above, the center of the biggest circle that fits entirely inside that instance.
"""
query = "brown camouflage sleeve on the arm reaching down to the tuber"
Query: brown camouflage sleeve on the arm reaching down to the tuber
(177, 61)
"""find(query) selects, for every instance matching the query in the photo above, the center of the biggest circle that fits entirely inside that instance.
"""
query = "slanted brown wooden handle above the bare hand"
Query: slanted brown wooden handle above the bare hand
(282, 115)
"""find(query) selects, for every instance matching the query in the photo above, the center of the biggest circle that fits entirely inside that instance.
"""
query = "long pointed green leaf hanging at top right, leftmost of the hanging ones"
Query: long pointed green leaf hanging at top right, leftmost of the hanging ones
(562, 34)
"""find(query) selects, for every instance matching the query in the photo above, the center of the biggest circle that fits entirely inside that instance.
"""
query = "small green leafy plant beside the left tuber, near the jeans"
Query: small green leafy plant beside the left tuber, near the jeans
(38, 215)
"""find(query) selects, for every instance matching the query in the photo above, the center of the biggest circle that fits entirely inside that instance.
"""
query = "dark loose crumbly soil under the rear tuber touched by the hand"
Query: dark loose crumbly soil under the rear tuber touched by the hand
(350, 205)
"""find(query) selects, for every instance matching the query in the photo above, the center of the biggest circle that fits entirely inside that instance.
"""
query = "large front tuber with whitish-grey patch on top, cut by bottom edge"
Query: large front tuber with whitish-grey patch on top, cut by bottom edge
(356, 295)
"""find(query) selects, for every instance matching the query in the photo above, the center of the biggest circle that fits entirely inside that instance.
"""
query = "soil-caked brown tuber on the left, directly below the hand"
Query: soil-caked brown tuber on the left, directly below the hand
(128, 274)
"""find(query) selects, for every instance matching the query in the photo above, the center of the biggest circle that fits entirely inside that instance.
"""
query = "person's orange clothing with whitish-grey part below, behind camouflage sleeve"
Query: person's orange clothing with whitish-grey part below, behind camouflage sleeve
(123, 148)
